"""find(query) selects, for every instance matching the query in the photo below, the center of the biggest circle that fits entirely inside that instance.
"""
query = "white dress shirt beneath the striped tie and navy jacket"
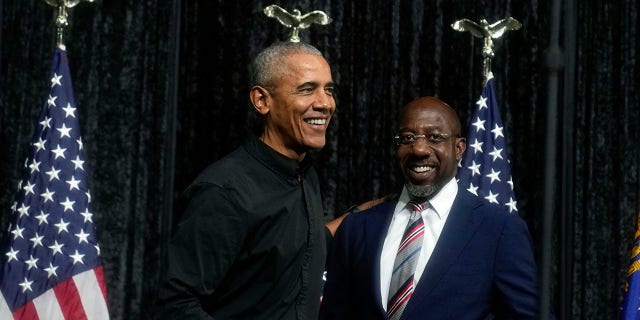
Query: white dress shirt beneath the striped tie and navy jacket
(434, 218)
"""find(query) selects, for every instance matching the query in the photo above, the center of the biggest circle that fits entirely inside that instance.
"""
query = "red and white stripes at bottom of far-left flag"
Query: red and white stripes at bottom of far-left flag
(84, 296)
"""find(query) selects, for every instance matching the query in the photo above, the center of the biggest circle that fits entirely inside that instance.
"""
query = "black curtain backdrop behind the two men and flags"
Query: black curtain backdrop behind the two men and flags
(162, 91)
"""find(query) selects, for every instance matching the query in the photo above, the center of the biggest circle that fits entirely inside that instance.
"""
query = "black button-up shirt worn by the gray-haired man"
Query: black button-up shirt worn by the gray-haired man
(251, 244)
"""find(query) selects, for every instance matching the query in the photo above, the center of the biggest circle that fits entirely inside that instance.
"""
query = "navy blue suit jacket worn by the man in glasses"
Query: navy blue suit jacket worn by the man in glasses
(482, 267)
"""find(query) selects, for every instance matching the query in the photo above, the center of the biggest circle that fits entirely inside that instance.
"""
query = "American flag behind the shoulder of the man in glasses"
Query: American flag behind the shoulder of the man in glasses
(484, 169)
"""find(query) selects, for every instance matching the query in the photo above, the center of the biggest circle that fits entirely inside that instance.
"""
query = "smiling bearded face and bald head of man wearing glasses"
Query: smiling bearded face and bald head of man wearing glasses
(428, 165)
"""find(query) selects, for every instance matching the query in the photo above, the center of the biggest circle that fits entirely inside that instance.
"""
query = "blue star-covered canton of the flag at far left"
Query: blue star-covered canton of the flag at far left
(51, 235)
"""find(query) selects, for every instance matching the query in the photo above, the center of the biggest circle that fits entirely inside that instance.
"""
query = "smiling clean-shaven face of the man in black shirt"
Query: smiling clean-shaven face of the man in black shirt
(298, 106)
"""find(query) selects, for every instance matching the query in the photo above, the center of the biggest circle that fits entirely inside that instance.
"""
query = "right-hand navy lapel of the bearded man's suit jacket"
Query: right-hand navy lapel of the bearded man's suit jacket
(460, 227)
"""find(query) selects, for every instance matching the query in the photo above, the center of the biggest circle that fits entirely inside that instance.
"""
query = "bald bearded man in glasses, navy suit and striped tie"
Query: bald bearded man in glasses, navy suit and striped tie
(468, 259)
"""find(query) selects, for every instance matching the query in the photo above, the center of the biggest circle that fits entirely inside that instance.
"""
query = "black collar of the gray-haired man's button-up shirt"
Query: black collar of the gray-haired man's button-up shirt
(286, 167)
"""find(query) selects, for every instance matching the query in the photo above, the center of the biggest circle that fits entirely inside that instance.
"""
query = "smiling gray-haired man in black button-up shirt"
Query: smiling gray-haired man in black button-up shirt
(251, 244)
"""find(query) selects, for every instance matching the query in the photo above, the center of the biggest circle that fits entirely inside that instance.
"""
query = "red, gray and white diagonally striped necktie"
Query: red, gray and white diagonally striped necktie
(401, 286)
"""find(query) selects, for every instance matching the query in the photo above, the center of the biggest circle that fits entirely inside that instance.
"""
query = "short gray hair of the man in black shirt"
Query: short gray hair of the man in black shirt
(267, 66)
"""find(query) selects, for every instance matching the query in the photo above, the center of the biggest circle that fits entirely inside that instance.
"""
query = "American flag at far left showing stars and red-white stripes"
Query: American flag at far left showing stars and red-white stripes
(51, 266)
